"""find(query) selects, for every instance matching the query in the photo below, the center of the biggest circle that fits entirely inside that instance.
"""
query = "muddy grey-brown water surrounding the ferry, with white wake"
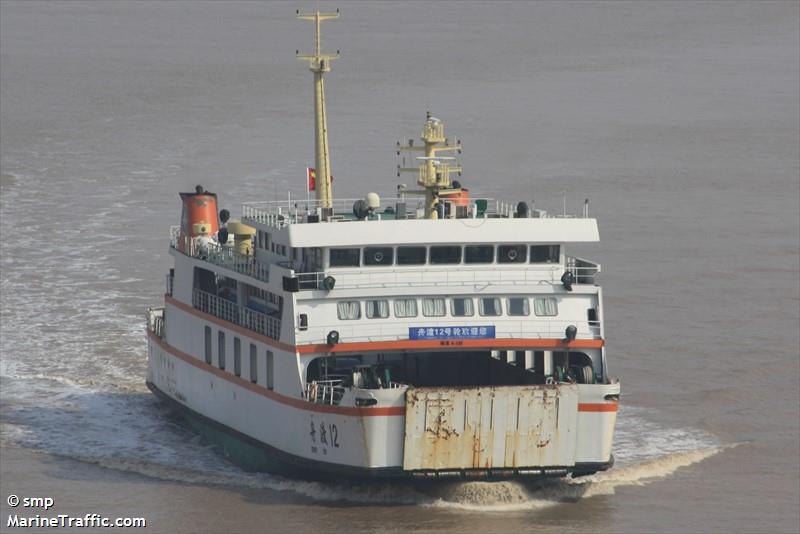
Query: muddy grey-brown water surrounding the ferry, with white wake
(679, 121)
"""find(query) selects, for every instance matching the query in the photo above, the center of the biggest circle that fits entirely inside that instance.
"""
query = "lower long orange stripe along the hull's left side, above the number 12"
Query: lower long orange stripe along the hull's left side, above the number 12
(260, 390)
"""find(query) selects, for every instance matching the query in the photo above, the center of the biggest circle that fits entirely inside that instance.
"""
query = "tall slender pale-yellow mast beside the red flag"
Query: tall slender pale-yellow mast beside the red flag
(319, 63)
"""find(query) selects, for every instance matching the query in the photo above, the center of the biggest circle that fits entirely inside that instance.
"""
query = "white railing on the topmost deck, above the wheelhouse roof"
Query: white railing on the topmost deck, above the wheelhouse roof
(281, 213)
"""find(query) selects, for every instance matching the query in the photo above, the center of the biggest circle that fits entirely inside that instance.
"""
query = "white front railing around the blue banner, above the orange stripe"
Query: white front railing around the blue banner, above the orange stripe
(384, 330)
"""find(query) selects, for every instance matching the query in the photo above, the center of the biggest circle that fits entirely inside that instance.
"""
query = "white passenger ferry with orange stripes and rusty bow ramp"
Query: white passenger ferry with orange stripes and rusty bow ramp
(430, 335)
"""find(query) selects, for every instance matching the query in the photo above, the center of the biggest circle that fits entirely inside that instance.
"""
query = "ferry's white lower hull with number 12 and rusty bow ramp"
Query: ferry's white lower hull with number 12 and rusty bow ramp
(511, 432)
